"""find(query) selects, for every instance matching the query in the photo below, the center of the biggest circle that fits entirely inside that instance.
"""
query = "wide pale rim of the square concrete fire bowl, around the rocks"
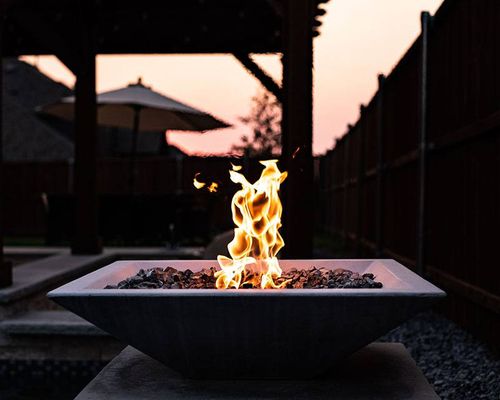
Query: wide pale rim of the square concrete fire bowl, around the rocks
(400, 281)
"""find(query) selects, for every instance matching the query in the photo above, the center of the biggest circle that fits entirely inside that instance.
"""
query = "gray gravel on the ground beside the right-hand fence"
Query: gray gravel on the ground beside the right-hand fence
(455, 363)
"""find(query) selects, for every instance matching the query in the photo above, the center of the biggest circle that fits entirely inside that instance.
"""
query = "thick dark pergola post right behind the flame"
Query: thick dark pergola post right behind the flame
(297, 127)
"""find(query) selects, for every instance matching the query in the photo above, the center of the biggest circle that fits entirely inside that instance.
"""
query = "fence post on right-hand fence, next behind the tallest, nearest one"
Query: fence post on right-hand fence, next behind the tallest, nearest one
(379, 198)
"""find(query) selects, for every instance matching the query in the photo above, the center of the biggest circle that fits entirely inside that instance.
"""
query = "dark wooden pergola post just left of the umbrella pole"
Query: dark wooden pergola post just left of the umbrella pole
(86, 233)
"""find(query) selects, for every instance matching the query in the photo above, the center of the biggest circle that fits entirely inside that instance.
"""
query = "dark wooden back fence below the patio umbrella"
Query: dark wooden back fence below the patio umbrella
(38, 197)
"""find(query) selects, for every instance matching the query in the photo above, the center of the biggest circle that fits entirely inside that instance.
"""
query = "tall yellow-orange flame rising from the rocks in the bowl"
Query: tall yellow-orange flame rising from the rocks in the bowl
(256, 212)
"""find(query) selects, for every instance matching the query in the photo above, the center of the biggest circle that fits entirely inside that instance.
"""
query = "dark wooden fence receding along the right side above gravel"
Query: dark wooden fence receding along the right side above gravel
(417, 178)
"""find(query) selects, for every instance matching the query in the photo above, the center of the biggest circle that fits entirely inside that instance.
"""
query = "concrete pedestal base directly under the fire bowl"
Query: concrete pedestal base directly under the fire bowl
(378, 371)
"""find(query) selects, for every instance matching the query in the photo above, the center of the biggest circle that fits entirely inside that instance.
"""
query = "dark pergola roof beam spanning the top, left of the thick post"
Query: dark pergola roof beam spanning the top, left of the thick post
(130, 27)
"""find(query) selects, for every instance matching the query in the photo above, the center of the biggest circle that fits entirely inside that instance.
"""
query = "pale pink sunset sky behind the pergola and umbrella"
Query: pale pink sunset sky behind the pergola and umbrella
(359, 39)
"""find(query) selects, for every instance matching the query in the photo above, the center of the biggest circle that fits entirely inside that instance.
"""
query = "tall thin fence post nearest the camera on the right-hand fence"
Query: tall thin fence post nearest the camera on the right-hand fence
(422, 147)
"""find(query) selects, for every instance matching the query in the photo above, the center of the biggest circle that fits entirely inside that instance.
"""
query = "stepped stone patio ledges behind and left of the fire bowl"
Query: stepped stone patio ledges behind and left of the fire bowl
(34, 328)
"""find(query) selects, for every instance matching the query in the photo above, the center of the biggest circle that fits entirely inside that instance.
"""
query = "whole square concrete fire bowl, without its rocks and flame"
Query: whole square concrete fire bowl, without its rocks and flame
(251, 333)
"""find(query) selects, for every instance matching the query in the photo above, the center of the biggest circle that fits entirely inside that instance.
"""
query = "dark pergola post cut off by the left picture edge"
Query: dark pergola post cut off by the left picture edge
(5, 267)
